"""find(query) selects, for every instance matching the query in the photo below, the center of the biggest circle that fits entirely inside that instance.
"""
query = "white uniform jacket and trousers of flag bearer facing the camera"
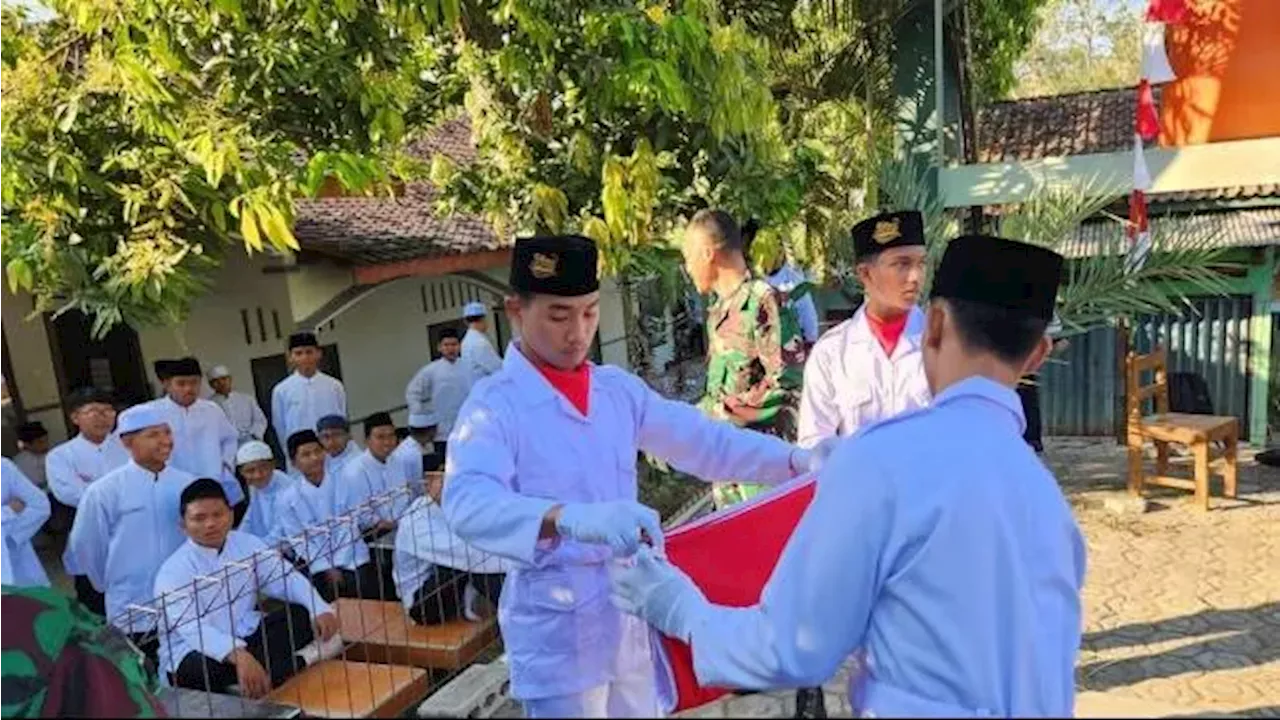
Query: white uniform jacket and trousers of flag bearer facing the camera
(519, 449)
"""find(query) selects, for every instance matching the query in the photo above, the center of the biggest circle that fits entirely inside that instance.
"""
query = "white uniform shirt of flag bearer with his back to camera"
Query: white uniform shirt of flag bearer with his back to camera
(941, 552)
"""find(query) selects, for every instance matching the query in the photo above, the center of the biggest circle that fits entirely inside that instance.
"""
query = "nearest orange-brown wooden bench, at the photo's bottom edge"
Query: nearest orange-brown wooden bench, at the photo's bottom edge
(341, 689)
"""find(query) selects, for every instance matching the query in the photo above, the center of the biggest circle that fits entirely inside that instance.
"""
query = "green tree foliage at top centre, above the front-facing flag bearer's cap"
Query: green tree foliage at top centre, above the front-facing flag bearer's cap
(619, 129)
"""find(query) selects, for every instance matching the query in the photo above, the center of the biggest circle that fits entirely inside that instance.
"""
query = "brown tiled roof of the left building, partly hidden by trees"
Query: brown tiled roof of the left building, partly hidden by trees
(372, 231)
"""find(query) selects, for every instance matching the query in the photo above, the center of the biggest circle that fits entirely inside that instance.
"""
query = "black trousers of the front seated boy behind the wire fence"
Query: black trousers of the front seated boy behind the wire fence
(275, 645)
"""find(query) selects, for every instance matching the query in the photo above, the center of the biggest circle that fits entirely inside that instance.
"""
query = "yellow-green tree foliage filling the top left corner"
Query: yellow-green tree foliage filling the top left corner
(141, 139)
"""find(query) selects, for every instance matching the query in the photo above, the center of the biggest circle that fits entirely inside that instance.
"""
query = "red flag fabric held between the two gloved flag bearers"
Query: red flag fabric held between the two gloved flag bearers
(732, 557)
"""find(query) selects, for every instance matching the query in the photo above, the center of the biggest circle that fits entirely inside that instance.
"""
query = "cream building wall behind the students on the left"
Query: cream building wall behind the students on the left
(382, 340)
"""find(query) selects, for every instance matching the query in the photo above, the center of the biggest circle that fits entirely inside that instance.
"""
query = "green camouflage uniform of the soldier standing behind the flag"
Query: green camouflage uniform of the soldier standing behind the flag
(756, 368)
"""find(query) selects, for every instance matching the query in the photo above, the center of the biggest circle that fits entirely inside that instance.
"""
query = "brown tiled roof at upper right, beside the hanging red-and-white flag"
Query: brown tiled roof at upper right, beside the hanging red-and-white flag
(1081, 124)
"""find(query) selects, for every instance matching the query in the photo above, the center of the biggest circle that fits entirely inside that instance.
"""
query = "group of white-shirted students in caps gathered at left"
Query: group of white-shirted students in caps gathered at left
(170, 495)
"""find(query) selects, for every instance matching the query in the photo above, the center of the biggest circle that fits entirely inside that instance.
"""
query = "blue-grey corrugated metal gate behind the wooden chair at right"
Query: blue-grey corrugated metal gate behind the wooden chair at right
(1084, 389)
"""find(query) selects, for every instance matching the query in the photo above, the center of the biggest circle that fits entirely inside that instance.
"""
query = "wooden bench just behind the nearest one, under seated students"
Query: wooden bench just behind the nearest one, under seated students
(383, 632)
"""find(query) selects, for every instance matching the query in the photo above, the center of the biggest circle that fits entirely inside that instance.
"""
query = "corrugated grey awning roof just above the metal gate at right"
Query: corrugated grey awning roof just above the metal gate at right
(1229, 229)
